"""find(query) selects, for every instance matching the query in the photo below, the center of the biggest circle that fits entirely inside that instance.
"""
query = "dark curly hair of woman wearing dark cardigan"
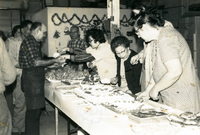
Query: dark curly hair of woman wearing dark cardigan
(119, 41)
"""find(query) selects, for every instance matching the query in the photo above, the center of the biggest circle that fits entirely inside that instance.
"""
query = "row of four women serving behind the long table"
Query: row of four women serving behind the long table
(163, 71)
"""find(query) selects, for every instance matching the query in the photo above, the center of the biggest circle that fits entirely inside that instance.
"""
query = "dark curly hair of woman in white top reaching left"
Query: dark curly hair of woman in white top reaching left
(96, 34)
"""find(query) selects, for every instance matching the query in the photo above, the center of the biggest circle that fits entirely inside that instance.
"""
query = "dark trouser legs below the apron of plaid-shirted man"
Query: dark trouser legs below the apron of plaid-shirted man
(32, 126)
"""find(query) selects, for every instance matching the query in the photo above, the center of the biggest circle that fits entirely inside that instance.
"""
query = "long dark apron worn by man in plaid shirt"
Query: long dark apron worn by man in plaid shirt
(33, 86)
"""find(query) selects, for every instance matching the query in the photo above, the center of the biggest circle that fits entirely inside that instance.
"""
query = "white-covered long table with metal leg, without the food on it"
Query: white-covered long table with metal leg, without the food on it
(98, 120)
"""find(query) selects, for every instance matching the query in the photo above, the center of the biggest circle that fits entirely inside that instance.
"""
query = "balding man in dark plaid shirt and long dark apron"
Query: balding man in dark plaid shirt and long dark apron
(33, 76)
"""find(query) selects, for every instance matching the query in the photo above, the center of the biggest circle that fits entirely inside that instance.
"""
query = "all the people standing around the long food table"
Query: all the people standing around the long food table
(162, 71)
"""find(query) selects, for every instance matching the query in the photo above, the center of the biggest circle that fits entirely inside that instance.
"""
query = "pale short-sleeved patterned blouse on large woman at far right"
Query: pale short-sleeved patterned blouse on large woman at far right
(184, 94)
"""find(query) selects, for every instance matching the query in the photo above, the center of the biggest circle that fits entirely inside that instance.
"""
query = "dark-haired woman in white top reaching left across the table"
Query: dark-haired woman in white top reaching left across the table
(99, 54)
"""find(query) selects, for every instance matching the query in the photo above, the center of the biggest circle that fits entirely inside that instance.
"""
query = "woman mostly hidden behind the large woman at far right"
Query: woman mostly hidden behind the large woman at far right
(143, 56)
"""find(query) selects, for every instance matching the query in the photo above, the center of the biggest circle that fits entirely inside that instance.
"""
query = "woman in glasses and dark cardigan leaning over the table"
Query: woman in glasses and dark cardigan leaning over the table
(128, 75)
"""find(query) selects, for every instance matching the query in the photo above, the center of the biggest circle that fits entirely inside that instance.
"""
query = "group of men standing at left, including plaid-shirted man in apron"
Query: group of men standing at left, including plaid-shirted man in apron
(22, 79)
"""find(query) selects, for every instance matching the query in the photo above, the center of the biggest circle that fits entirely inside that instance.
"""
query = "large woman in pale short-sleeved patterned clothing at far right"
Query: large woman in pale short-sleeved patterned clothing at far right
(172, 75)
